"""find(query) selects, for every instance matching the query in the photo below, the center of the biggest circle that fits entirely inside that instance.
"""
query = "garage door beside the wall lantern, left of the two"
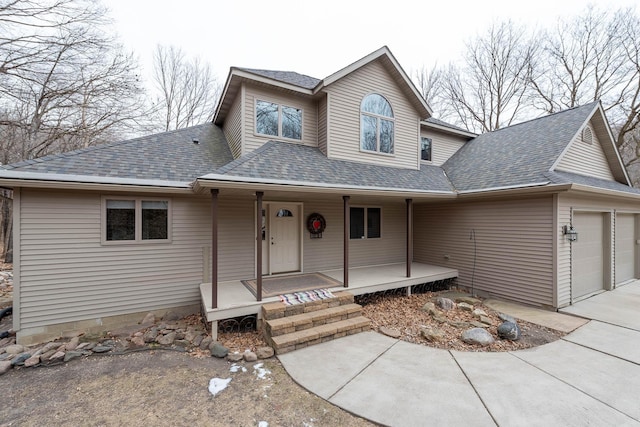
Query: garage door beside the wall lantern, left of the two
(588, 254)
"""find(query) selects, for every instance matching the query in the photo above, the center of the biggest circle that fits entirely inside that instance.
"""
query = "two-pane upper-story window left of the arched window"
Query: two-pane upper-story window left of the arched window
(278, 120)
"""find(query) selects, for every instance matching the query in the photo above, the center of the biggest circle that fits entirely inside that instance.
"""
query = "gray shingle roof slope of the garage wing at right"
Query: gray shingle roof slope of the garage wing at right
(516, 155)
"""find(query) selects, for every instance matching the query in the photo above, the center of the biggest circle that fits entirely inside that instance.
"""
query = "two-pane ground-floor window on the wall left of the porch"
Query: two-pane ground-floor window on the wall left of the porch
(129, 220)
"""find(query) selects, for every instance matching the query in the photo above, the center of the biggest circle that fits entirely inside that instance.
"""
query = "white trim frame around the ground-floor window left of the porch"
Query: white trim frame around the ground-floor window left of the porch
(138, 226)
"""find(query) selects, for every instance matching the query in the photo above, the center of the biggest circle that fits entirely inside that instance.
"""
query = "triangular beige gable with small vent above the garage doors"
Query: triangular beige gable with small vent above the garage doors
(592, 151)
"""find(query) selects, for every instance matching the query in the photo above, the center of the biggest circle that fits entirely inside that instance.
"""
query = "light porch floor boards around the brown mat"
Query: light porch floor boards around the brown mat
(234, 299)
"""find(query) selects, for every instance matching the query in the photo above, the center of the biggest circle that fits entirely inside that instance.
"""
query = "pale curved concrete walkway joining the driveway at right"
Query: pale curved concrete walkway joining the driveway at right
(590, 377)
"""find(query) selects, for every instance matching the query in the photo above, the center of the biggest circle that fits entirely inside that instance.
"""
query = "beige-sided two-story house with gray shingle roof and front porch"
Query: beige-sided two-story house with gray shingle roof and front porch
(345, 181)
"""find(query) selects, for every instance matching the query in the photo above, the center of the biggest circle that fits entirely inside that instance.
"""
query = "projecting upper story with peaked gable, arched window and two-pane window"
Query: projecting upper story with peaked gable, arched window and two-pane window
(332, 114)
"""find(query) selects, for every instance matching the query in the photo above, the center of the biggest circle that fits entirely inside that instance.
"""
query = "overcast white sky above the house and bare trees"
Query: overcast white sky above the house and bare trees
(318, 38)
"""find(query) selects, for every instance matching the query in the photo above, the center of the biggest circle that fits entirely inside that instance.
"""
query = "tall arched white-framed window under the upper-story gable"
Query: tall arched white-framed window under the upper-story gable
(376, 124)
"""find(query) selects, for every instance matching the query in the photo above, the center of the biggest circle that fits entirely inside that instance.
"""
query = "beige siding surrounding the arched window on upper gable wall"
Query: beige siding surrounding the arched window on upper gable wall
(346, 96)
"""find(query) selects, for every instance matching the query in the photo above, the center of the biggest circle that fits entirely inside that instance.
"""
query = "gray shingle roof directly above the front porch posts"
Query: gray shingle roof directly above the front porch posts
(294, 162)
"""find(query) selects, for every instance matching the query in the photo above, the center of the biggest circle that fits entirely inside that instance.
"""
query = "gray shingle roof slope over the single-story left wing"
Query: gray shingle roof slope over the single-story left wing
(168, 156)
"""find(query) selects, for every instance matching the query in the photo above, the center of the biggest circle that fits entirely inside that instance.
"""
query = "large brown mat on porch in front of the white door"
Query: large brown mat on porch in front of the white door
(274, 286)
